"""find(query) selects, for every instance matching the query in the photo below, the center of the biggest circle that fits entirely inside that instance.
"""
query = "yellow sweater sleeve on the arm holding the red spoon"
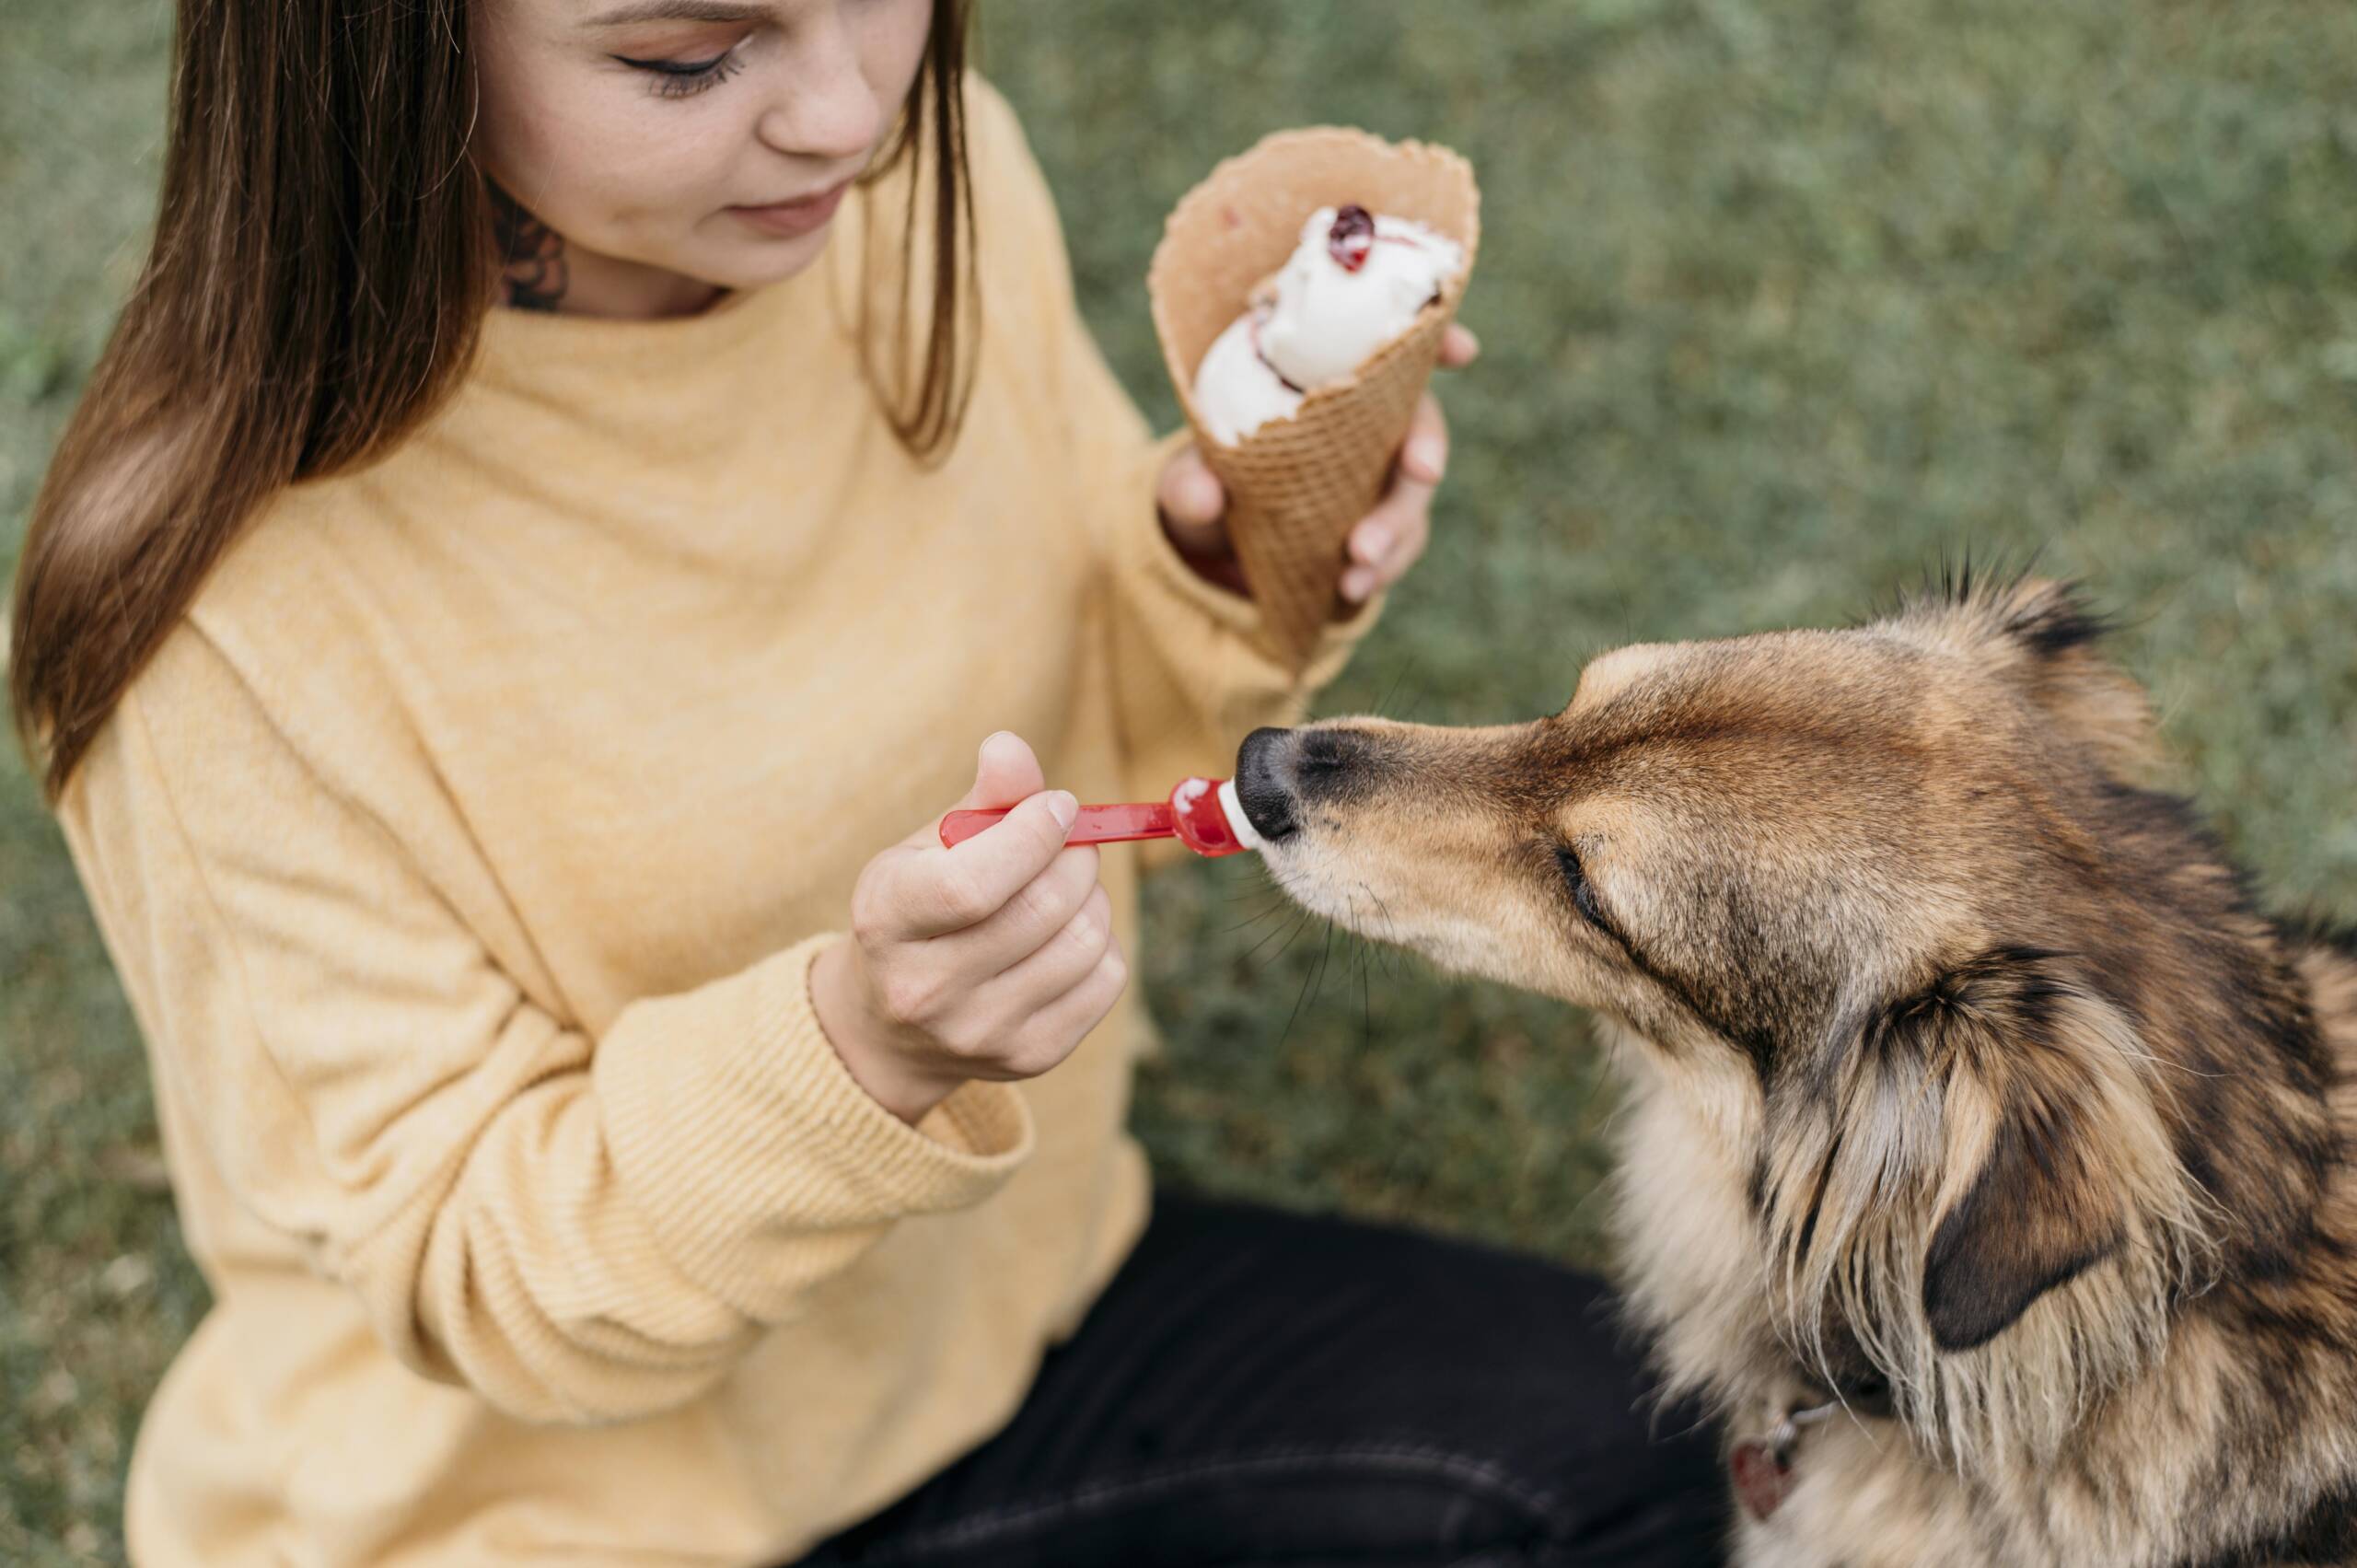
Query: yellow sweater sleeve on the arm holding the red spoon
(579, 1230)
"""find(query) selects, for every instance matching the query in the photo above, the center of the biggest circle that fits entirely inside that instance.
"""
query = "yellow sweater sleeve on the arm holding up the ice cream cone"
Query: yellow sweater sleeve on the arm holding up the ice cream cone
(1194, 668)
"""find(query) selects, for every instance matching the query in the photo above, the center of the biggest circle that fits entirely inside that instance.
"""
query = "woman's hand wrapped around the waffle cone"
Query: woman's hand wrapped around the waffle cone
(1382, 546)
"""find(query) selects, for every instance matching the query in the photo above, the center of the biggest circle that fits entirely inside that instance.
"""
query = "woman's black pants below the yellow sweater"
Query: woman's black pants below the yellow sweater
(1260, 1388)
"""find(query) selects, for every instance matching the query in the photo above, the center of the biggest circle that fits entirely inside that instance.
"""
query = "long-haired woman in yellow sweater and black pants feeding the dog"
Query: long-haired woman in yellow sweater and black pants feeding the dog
(517, 593)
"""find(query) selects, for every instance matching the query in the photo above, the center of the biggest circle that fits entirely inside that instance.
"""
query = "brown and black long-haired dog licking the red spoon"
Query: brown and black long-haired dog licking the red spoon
(1988, 1154)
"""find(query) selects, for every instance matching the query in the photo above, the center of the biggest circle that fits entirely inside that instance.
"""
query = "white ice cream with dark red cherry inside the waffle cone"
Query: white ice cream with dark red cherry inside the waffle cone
(1352, 286)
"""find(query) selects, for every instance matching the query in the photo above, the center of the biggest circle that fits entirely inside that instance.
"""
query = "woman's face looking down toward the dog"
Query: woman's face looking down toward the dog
(680, 147)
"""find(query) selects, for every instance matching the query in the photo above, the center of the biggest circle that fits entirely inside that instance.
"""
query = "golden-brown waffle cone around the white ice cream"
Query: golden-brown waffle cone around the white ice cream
(1298, 487)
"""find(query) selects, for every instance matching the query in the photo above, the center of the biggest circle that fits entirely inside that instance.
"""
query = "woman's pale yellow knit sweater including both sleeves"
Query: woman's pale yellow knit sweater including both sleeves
(466, 852)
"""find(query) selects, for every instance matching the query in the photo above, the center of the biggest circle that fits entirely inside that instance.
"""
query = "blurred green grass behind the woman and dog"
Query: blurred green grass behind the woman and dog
(1781, 305)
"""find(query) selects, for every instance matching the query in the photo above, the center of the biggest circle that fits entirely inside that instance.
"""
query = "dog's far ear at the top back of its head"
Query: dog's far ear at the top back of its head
(2045, 640)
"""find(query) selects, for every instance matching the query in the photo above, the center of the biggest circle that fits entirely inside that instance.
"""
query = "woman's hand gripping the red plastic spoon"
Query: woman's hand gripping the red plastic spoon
(986, 961)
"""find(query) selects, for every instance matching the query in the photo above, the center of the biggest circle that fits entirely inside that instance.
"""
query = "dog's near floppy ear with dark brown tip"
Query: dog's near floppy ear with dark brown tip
(2038, 1112)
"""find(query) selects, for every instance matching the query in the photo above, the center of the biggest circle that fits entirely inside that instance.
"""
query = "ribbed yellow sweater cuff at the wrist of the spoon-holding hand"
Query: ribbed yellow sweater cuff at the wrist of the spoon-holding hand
(755, 1154)
